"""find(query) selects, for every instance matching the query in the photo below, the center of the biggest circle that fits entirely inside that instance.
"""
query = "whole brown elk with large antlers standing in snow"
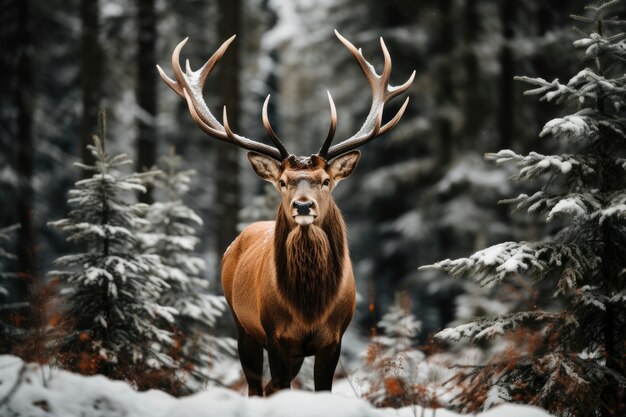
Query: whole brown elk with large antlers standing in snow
(289, 282)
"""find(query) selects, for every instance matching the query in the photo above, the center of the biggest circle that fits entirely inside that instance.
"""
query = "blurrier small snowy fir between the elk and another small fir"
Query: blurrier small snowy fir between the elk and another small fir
(171, 235)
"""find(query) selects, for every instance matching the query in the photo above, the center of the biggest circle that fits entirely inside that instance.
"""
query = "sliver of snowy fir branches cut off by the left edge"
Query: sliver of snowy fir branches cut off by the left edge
(7, 329)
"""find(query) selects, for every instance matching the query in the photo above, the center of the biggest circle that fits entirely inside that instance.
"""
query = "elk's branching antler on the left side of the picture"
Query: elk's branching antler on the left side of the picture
(189, 85)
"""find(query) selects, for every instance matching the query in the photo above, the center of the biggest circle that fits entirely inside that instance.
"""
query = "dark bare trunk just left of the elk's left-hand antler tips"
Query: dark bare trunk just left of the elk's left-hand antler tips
(146, 90)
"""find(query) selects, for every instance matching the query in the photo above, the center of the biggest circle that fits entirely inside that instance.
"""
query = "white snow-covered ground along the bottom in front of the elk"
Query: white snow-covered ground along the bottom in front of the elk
(34, 391)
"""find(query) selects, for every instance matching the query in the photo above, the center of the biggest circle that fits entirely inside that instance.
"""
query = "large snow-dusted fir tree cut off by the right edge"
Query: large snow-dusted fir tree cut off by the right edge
(575, 364)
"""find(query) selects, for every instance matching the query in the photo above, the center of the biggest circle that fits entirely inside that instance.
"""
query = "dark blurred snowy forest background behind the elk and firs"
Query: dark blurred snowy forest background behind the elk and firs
(420, 194)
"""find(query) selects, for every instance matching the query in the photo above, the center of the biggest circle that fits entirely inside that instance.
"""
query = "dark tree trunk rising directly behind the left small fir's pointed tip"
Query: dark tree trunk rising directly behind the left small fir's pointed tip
(90, 76)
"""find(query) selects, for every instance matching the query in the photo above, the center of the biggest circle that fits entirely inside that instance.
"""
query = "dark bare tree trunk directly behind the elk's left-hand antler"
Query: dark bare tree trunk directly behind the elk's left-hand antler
(227, 170)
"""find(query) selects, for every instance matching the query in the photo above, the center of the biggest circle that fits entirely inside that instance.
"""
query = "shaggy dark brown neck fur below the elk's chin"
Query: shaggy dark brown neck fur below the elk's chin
(309, 262)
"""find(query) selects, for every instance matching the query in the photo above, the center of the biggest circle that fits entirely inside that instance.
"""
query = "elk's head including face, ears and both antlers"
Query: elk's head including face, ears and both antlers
(305, 183)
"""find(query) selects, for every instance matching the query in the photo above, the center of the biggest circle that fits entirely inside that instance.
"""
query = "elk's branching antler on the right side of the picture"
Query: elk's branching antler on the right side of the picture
(382, 92)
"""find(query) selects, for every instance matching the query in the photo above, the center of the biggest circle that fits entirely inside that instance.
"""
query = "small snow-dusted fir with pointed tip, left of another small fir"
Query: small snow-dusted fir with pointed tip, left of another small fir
(110, 288)
